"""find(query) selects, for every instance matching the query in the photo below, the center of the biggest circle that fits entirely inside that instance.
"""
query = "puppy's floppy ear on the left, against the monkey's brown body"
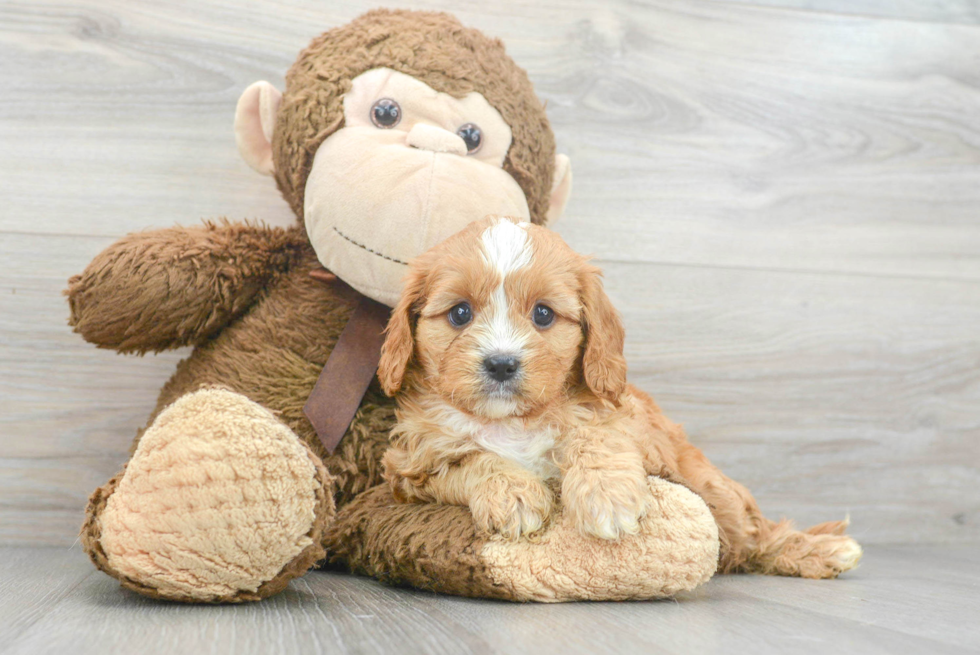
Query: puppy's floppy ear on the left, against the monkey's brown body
(399, 343)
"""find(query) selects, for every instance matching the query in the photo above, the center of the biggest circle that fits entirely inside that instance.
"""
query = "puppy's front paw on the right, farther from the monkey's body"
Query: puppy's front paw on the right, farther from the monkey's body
(606, 504)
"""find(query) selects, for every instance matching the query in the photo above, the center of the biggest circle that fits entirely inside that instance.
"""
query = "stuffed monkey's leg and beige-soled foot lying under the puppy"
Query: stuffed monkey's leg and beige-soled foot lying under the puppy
(437, 547)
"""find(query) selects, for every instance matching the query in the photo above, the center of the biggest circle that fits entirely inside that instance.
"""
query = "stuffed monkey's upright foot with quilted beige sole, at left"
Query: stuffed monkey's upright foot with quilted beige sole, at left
(221, 502)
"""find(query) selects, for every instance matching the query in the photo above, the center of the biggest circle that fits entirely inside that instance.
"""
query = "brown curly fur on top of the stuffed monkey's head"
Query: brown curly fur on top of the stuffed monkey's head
(432, 47)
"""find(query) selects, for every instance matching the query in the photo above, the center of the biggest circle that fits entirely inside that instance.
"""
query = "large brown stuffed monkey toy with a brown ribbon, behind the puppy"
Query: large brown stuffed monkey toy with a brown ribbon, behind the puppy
(394, 132)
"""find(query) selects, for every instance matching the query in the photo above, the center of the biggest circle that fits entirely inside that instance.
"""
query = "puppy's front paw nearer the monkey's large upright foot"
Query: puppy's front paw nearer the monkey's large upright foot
(511, 507)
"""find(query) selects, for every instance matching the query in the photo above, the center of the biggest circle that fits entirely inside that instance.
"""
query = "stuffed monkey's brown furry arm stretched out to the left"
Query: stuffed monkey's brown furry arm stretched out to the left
(162, 289)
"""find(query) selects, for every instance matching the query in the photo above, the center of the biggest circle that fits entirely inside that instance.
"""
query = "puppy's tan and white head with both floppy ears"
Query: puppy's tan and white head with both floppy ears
(500, 319)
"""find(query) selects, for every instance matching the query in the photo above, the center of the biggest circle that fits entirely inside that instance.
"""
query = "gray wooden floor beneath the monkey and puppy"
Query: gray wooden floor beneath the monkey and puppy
(908, 599)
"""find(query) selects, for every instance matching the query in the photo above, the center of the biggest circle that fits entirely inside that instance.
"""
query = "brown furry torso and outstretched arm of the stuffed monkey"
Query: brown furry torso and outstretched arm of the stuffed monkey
(272, 355)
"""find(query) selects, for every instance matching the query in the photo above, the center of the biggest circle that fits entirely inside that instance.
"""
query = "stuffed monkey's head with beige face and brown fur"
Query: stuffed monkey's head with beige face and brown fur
(394, 132)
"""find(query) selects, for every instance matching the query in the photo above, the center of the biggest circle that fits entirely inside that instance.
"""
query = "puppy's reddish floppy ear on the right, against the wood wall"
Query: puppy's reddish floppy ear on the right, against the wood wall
(603, 364)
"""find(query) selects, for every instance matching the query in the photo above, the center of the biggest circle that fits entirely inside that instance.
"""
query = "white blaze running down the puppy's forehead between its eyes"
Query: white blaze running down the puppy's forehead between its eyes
(506, 248)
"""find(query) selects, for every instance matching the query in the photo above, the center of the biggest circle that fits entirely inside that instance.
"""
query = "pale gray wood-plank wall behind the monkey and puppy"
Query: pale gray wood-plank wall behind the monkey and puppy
(785, 196)
